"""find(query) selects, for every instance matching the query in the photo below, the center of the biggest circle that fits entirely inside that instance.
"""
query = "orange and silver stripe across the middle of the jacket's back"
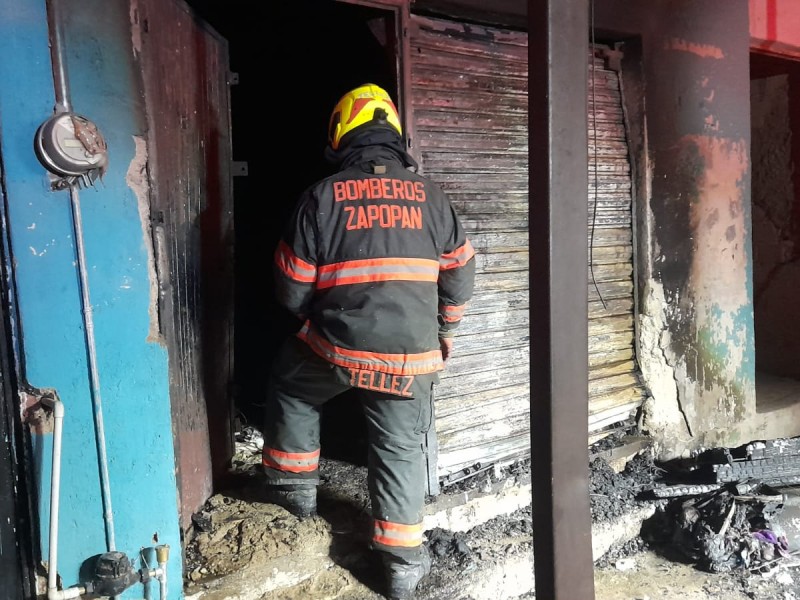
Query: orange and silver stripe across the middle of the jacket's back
(378, 269)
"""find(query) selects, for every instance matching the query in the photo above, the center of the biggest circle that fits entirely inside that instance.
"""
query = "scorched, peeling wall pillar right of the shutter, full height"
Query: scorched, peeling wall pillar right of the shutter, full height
(693, 240)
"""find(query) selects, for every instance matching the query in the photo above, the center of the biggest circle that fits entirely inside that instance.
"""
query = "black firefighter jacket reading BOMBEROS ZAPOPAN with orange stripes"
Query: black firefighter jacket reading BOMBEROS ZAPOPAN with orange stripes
(377, 264)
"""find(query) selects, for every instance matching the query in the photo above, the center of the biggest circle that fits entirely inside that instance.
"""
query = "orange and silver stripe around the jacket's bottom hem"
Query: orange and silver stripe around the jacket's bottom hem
(395, 364)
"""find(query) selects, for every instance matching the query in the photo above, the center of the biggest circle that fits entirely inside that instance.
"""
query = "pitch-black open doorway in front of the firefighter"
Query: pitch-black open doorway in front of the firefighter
(294, 59)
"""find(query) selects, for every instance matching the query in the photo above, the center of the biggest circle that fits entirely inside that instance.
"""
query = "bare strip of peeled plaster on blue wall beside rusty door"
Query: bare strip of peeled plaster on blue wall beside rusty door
(136, 177)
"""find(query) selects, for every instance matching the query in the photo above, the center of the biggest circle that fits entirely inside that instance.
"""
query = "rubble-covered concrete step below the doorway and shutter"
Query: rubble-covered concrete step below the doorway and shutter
(480, 540)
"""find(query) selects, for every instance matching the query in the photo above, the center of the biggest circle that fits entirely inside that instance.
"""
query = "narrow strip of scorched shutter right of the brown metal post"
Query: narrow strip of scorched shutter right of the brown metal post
(615, 388)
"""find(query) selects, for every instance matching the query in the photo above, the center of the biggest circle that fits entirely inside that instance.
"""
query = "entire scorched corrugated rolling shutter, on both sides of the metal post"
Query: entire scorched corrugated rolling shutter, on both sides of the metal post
(469, 105)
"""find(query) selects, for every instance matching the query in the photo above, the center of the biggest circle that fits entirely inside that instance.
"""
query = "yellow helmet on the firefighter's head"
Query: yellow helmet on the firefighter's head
(368, 104)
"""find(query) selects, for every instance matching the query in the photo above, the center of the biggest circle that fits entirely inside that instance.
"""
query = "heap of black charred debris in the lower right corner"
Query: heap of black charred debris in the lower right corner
(726, 509)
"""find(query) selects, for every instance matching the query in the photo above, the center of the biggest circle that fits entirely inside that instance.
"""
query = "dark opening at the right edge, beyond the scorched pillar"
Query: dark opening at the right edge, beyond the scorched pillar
(775, 152)
